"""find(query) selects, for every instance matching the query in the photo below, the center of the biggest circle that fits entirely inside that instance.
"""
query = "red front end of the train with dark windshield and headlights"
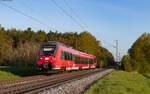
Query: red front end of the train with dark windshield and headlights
(46, 56)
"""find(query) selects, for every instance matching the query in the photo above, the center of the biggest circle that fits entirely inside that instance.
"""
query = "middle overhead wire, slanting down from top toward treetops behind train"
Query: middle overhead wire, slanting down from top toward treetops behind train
(66, 13)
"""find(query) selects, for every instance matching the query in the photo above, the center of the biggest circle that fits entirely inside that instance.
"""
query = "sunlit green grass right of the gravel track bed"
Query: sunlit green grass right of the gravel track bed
(120, 82)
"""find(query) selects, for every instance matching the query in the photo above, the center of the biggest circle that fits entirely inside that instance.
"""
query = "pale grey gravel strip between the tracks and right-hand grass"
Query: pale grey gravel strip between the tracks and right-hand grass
(77, 86)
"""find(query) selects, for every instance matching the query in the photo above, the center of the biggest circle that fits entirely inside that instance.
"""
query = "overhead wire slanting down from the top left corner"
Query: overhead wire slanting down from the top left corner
(28, 16)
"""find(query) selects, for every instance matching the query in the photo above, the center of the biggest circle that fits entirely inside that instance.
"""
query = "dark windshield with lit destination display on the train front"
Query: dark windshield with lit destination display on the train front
(48, 50)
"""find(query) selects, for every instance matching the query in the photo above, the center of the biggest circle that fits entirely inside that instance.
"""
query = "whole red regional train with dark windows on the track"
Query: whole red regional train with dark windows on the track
(56, 56)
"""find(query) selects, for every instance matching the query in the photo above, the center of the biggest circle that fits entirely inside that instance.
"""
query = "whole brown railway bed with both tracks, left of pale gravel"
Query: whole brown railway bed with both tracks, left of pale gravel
(39, 83)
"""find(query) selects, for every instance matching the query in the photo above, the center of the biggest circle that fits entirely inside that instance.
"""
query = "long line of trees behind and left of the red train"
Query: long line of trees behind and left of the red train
(20, 47)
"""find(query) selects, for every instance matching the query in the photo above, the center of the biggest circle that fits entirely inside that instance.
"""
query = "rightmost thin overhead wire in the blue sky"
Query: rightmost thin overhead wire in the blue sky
(72, 10)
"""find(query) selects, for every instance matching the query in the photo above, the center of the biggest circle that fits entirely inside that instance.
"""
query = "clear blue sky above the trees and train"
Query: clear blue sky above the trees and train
(107, 20)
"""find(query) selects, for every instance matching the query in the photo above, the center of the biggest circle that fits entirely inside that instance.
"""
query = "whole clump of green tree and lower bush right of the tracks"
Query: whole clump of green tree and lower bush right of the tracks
(138, 58)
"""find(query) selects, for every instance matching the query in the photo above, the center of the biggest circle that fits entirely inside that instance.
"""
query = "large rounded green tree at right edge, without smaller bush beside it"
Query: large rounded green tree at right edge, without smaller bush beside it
(140, 53)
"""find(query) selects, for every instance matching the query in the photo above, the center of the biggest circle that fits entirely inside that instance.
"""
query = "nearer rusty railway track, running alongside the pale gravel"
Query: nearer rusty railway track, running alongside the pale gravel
(35, 85)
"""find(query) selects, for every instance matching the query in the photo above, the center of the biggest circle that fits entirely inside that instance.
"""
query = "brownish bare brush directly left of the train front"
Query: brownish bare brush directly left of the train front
(24, 55)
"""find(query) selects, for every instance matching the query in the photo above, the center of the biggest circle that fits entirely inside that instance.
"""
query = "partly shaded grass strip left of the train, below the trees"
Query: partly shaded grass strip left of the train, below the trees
(7, 72)
